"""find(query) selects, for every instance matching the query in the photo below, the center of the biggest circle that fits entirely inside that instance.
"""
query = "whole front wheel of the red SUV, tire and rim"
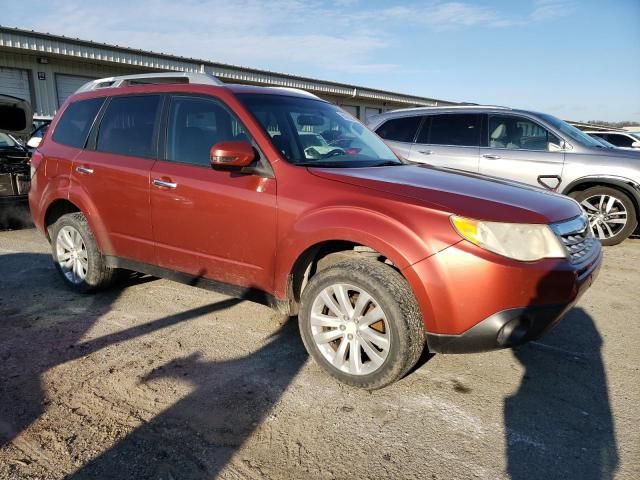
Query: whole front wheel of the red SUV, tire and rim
(361, 323)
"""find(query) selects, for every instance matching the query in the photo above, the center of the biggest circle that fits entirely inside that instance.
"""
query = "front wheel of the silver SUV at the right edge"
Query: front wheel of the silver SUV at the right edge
(606, 208)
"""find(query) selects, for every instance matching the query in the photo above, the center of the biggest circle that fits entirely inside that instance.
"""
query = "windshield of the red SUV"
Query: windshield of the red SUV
(315, 133)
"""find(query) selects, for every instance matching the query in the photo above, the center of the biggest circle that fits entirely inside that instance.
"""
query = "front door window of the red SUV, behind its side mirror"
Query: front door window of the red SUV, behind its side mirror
(195, 125)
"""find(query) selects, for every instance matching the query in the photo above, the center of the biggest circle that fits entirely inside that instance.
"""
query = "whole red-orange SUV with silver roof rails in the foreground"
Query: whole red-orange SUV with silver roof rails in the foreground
(274, 195)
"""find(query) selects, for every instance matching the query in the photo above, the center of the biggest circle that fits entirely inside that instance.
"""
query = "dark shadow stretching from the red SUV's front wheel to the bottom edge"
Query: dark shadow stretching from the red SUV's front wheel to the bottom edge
(197, 436)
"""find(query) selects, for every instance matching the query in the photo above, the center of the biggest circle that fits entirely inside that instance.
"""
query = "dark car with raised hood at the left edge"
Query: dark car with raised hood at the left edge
(14, 167)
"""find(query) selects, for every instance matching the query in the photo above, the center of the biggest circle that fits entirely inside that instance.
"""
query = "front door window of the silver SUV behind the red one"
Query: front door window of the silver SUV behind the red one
(517, 133)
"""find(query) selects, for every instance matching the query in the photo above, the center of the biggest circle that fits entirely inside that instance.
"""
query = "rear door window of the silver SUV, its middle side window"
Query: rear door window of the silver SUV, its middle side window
(460, 129)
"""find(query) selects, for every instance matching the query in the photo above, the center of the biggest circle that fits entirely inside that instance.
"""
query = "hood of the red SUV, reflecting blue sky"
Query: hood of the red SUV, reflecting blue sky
(460, 193)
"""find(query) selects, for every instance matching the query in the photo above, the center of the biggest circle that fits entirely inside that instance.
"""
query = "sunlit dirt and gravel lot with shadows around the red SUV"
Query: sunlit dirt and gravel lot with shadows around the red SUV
(154, 379)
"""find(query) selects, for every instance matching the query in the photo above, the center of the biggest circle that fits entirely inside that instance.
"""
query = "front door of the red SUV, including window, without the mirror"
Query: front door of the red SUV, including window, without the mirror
(209, 223)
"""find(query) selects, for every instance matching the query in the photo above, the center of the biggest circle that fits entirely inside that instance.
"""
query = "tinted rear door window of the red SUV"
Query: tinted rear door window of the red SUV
(127, 127)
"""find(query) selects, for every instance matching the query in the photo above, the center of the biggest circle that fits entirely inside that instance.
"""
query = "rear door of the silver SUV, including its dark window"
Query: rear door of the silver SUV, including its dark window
(449, 140)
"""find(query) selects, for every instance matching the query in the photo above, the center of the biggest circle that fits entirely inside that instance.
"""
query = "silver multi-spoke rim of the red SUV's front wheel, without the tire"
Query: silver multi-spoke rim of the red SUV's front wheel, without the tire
(350, 329)
